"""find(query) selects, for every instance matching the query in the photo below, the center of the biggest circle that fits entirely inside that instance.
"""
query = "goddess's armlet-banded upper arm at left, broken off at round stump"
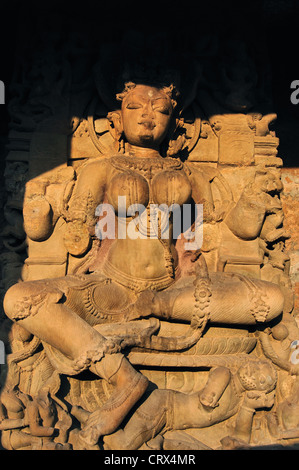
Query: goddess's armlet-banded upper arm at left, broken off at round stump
(88, 193)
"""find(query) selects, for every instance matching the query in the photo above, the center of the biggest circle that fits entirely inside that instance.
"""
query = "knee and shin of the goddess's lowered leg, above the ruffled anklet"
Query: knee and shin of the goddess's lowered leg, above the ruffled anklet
(38, 307)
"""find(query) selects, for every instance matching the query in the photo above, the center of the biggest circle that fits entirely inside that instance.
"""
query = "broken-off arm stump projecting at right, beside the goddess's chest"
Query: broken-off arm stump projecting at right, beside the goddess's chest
(246, 218)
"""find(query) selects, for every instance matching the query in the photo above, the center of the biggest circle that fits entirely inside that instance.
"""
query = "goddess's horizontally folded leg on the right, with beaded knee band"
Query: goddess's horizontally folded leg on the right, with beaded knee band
(235, 300)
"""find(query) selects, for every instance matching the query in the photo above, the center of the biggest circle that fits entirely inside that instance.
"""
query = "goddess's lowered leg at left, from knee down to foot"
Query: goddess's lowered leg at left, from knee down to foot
(39, 307)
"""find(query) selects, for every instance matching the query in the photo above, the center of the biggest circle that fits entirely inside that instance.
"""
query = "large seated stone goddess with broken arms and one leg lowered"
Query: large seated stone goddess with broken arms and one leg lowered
(140, 275)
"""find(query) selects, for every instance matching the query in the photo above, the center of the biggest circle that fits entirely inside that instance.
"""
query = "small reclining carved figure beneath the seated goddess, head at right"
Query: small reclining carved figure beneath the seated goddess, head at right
(224, 395)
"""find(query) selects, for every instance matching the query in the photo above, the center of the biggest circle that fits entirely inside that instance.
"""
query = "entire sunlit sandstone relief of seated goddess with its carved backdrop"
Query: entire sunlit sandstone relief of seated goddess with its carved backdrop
(121, 338)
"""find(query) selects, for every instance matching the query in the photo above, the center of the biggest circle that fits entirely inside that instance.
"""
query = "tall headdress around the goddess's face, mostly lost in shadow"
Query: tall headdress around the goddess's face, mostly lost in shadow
(148, 60)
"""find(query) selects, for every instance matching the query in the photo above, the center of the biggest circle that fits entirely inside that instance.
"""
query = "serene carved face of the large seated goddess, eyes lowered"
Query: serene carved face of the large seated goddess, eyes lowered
(146, 113)
